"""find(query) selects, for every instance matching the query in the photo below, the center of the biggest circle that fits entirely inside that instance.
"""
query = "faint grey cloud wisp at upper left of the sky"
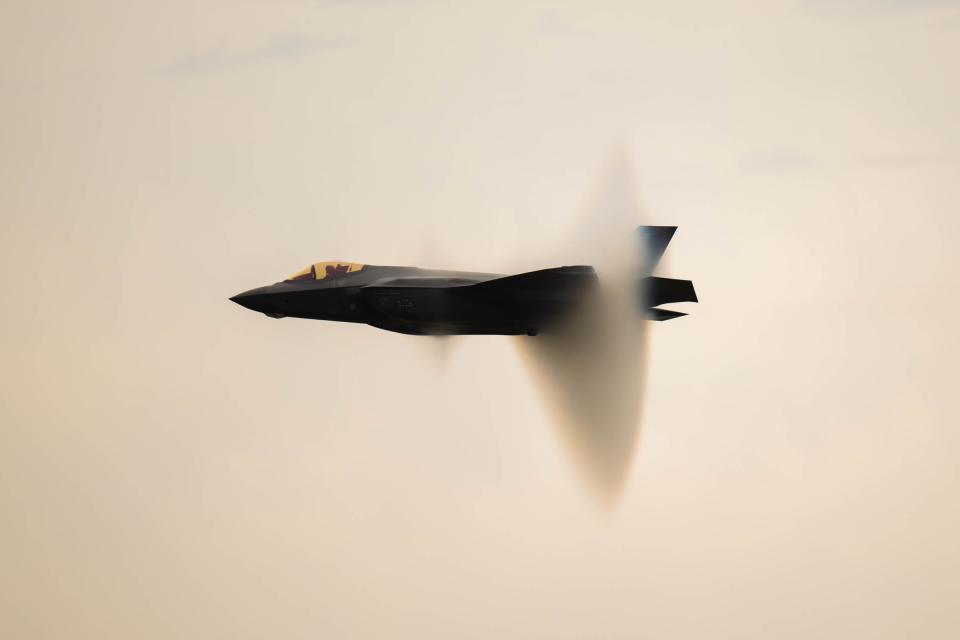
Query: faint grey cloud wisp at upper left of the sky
(279, 47)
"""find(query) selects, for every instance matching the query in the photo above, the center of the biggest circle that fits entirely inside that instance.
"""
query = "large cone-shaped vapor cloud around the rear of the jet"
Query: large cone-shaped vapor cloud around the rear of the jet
(590, 370)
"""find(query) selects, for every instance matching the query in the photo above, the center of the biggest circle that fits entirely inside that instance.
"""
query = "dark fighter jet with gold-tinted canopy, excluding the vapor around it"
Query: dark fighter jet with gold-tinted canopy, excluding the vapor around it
(430, 302)
